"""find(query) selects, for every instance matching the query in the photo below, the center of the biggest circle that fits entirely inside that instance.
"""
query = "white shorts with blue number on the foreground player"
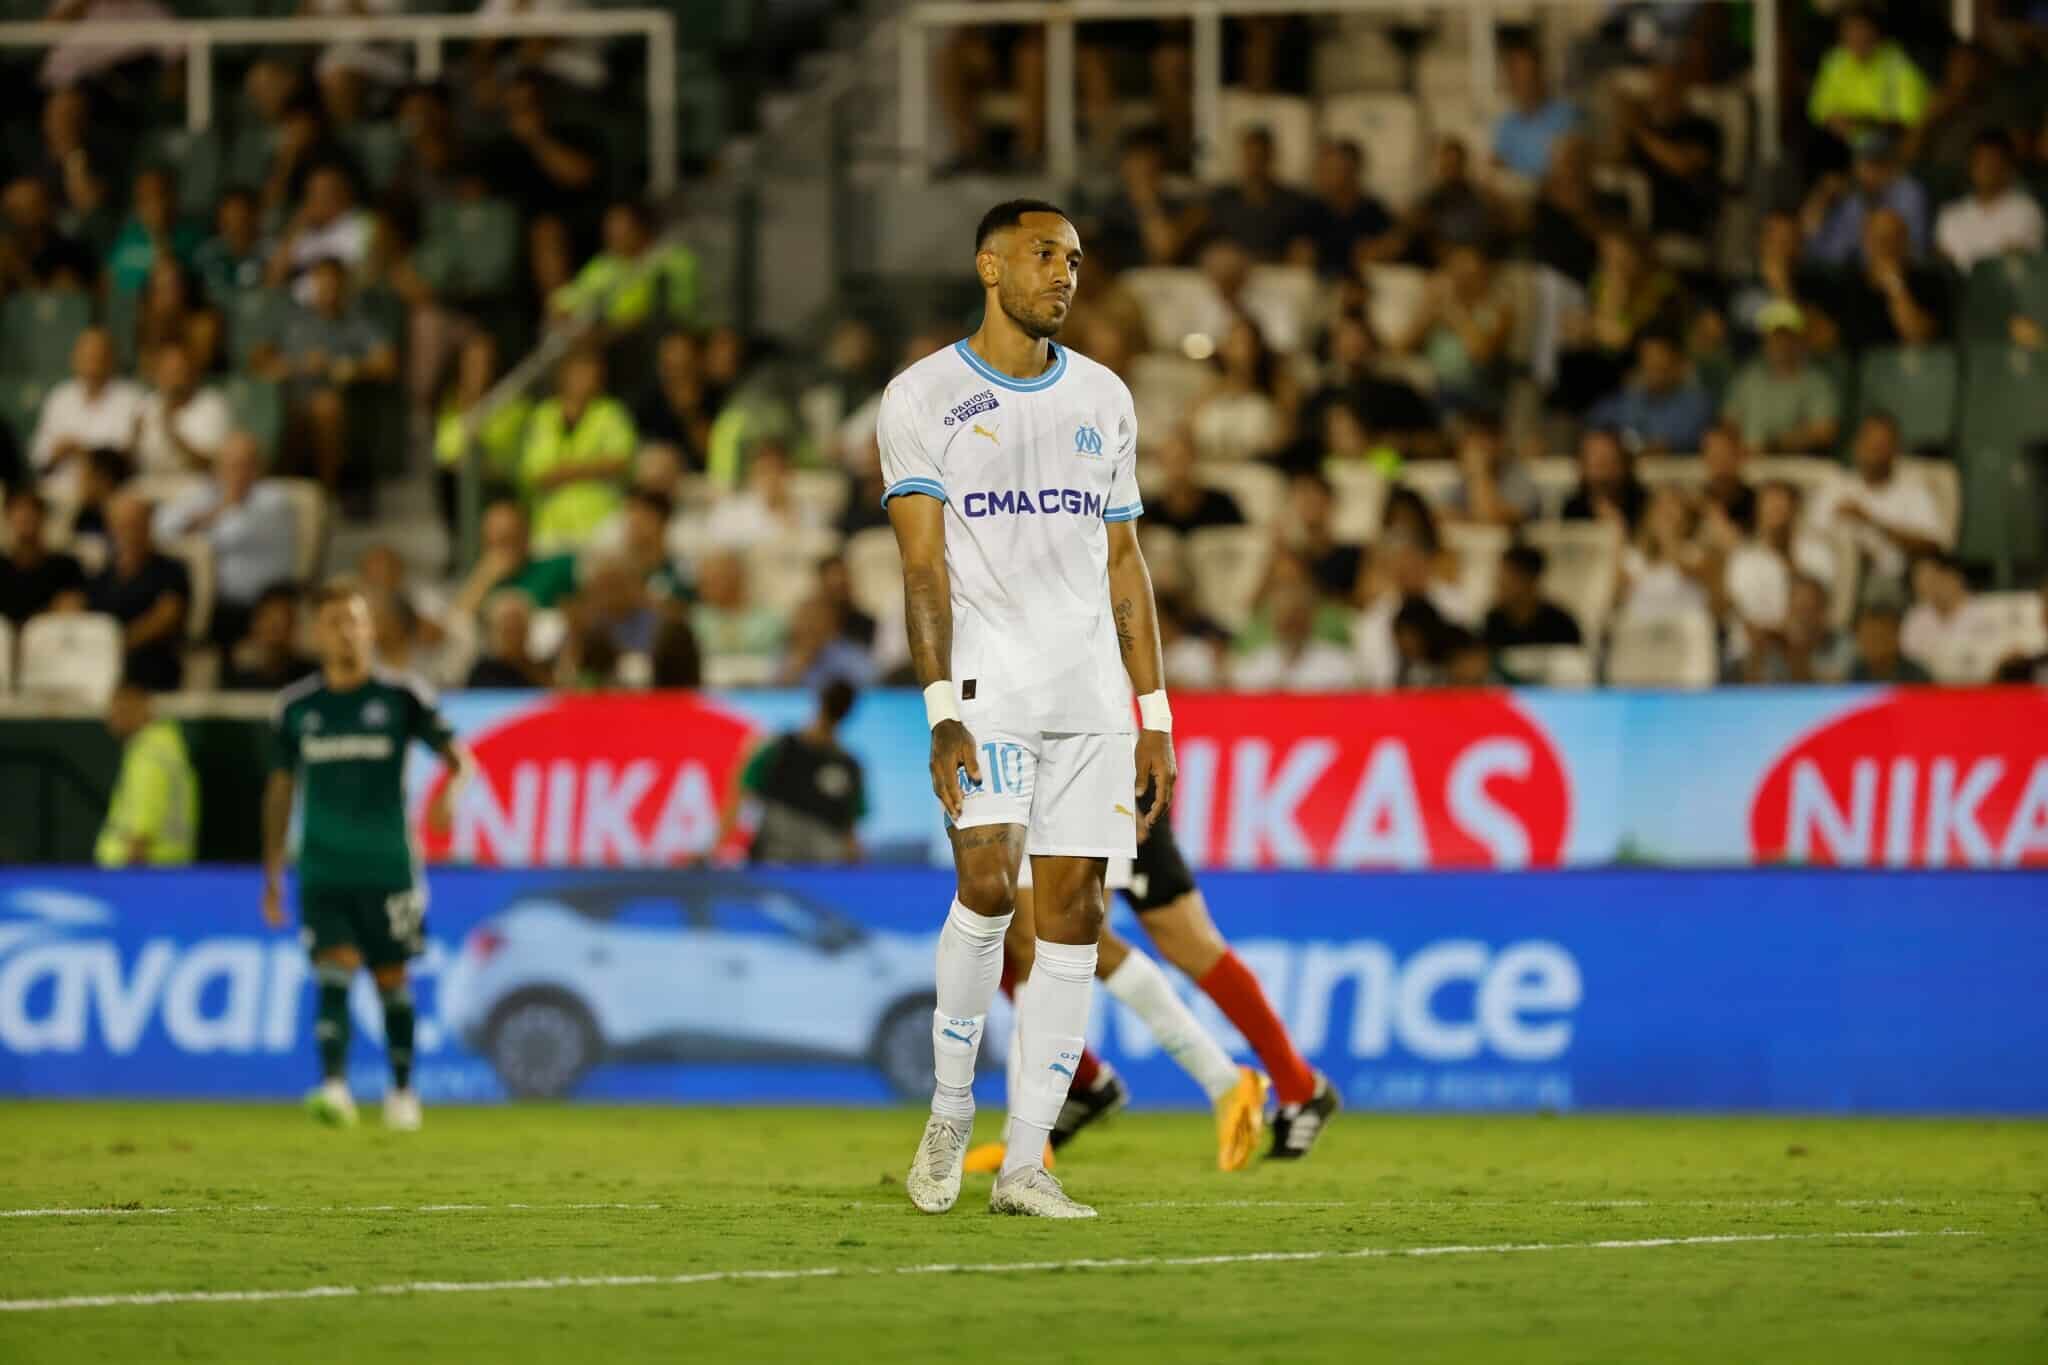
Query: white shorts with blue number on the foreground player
(1070, 793)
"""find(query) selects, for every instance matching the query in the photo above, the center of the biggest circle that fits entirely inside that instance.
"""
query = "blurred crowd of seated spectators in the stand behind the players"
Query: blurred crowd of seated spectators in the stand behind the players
(1580, 394)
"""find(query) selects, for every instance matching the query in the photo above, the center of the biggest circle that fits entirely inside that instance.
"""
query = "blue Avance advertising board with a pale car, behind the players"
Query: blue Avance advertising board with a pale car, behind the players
(1631, 989)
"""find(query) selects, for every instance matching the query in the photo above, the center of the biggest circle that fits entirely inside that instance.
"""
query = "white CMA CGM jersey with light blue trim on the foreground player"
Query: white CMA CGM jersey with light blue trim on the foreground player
(1029, 472)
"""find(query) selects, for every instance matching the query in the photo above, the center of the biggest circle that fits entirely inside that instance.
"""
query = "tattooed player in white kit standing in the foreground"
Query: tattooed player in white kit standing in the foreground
(1013, 490)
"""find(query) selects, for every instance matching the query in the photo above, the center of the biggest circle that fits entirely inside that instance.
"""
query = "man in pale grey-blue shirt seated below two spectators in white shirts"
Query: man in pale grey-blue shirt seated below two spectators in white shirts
(251, 527)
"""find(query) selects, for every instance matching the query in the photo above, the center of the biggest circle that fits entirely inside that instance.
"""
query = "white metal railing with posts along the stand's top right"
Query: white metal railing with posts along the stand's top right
(1060, 19)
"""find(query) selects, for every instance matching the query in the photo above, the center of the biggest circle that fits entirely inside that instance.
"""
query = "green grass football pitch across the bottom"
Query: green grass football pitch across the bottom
(243, 1233)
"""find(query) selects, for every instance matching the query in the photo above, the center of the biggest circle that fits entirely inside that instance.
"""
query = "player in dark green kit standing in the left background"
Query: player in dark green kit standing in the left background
(343, 734)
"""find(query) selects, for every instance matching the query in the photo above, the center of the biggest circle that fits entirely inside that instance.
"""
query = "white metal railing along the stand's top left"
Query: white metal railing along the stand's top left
(425, 34)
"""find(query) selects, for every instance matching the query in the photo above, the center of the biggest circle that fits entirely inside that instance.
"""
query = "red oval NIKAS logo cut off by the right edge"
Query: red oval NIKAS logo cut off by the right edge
(1914, 781)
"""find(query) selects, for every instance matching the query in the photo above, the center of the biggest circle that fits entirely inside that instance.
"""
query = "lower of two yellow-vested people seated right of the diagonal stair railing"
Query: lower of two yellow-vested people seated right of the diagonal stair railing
(579, 449)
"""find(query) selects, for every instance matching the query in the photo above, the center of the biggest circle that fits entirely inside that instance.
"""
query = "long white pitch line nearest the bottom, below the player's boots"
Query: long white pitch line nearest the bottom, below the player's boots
(996, 1268)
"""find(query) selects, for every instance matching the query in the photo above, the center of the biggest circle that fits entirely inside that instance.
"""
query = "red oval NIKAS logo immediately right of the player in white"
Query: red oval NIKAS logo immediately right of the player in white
(1461, 781)
